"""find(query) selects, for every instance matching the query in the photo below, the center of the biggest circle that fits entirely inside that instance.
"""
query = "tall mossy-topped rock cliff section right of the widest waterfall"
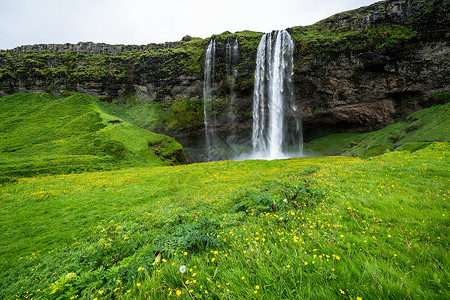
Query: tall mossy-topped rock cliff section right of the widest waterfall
(383, 62)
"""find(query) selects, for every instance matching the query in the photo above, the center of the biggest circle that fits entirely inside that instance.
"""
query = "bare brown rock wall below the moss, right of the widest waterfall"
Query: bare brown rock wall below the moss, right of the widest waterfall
(366, 91)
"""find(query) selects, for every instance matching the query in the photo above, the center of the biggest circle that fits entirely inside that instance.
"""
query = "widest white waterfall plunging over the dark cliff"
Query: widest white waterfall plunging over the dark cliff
(276, 127)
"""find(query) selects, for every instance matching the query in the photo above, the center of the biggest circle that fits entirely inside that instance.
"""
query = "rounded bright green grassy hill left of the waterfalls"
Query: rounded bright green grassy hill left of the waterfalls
(42, 134)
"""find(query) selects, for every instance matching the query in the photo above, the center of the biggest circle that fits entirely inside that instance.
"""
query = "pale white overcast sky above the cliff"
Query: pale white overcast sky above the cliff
(25, 22)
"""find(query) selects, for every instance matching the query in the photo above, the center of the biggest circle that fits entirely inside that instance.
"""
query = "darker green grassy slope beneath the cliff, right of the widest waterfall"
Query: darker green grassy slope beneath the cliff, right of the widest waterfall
(417, 131)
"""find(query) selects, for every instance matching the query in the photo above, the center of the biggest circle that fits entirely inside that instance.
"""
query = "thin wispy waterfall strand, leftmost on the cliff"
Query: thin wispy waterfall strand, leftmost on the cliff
(210, 61)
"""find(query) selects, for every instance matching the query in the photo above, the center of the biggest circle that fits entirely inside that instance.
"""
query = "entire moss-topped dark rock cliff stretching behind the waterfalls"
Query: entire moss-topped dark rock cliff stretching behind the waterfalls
(355, 71)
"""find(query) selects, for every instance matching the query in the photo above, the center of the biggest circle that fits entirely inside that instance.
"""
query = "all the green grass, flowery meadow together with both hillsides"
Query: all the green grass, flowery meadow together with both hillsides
(83, 221)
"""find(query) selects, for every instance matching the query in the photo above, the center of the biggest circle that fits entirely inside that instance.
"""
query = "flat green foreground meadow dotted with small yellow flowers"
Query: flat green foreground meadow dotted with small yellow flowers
(373, 228)
